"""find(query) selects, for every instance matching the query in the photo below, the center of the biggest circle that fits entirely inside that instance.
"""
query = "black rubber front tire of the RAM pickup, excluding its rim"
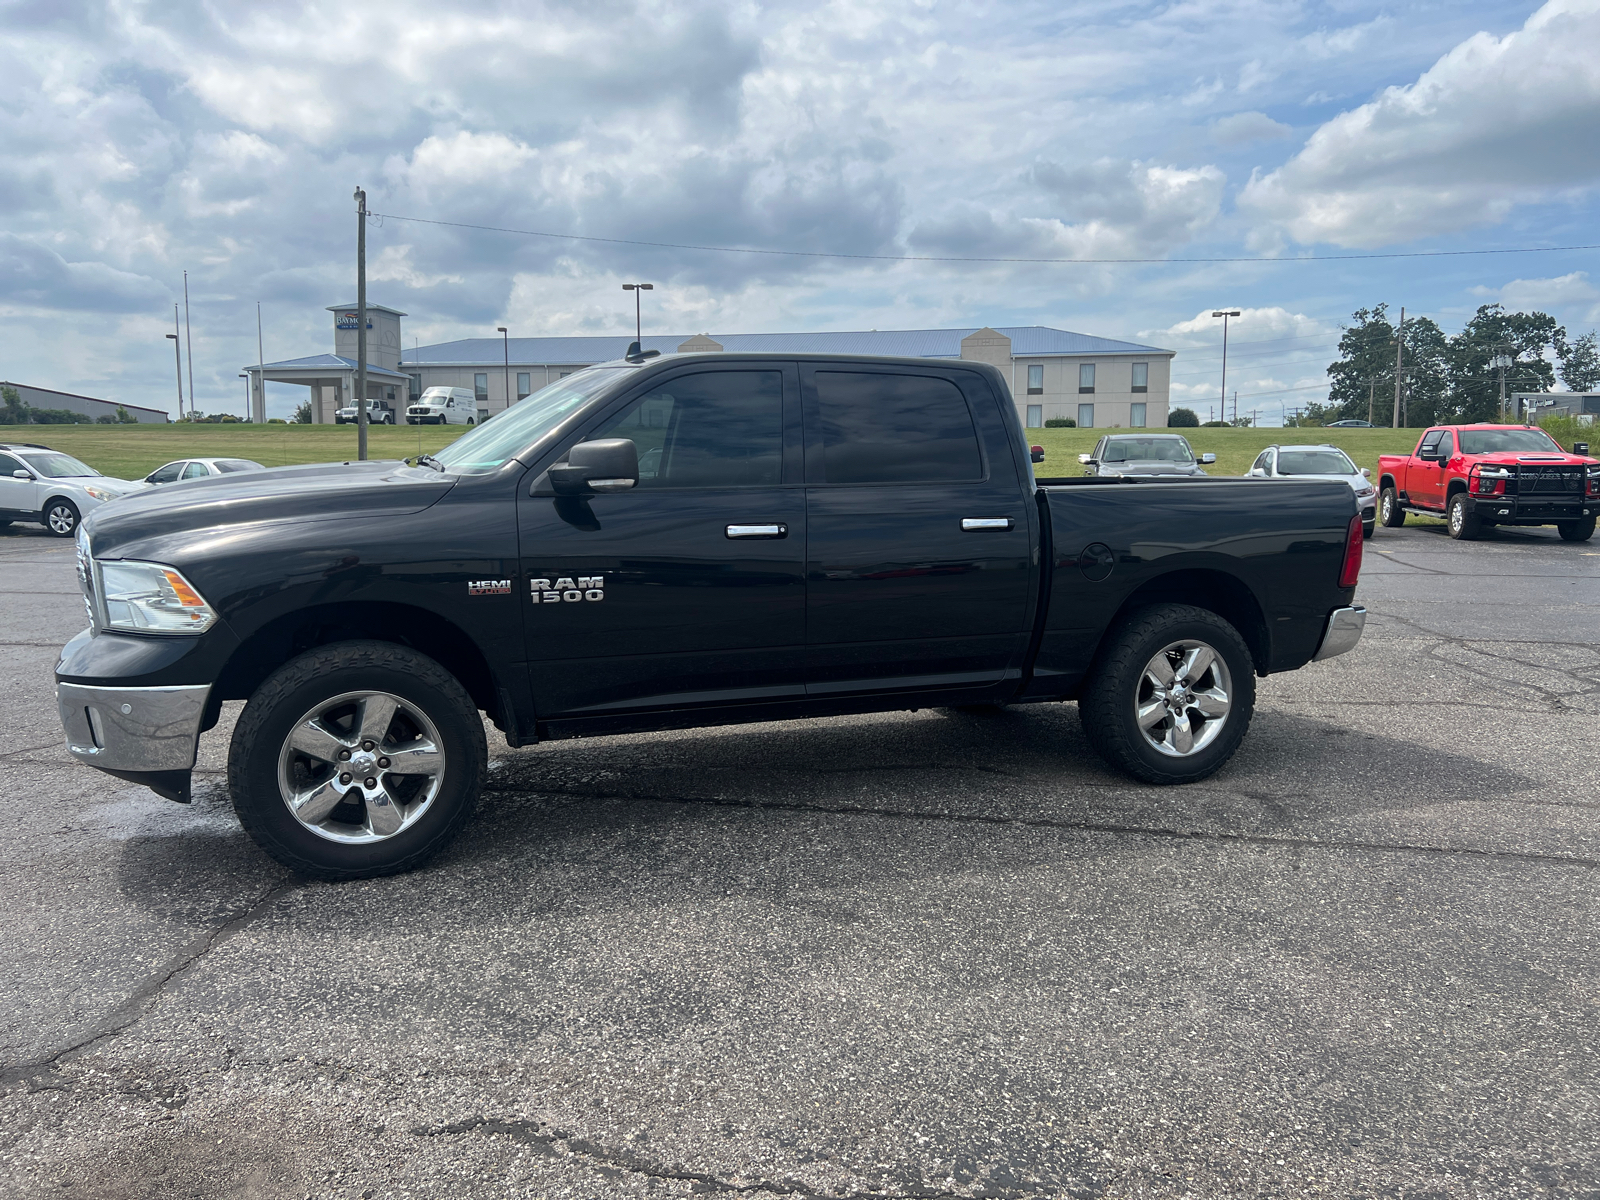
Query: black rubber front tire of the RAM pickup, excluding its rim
(324, 674)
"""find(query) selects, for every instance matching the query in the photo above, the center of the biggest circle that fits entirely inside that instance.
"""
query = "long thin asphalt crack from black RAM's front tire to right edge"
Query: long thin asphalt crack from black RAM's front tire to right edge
(1089, 828)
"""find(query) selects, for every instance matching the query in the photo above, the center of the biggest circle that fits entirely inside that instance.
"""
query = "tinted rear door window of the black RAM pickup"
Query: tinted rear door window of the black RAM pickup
(895, 430)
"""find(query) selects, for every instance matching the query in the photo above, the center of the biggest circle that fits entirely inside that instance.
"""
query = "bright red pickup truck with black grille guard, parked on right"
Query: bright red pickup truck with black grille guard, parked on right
(1481, 476)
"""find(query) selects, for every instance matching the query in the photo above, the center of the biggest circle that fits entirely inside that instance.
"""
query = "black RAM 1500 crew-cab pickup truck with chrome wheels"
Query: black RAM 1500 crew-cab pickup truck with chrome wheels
(695, 540)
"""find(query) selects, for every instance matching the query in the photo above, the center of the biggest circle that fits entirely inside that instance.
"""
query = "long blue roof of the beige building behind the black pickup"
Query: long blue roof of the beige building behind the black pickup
(1028, 342)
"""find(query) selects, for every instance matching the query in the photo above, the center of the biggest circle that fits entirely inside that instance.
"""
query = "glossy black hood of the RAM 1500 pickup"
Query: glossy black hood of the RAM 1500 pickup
(324, 492)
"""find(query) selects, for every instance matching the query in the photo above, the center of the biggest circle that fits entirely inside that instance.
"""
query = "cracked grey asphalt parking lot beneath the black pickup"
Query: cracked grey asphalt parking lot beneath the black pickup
(918, 956)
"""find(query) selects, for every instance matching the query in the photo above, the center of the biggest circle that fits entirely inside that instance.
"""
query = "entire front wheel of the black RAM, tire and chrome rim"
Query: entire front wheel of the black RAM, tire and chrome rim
(358, 759)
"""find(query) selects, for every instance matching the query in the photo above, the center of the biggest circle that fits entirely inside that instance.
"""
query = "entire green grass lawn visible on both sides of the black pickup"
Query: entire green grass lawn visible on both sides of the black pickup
(134, 452)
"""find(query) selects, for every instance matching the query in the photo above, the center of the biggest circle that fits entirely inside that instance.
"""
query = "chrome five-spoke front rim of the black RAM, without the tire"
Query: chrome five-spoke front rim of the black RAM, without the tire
(361, 767)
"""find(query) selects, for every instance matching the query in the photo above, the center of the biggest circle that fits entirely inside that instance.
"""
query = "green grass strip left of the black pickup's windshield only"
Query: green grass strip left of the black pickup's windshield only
(134, 452)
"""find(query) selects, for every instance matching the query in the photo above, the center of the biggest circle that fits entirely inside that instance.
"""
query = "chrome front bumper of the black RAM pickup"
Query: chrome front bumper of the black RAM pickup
(143, 735)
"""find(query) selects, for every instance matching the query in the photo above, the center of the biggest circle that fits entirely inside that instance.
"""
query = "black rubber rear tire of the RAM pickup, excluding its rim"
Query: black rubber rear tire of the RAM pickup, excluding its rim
(1111, 697)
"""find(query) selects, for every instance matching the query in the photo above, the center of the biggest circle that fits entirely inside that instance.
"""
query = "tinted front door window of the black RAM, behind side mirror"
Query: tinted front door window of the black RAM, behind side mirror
(708, 431)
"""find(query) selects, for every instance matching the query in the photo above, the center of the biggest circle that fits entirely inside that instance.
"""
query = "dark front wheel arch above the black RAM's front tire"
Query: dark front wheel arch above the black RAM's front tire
(294, 634)
